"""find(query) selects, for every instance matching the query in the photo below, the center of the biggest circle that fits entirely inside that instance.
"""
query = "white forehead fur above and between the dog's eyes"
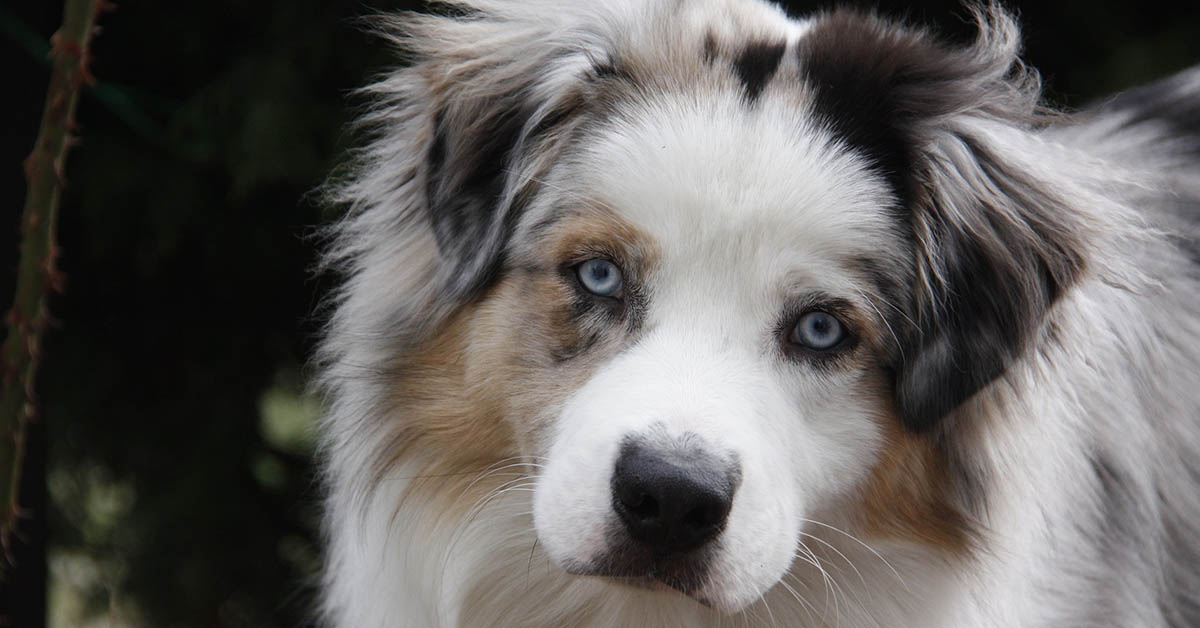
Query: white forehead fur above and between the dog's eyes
(755, 190)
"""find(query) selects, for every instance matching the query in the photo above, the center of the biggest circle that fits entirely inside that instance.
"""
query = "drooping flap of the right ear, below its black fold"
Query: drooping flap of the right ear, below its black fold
(995, 250)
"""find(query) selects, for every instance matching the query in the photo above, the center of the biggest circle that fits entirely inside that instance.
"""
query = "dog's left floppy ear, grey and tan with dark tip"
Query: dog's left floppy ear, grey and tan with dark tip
(495, 101)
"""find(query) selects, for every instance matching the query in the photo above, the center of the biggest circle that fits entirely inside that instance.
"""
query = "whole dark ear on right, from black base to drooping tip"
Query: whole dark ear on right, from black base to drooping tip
(993, 246)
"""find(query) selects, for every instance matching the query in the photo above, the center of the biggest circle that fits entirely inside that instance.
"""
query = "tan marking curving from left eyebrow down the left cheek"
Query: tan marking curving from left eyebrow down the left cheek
(484, 388)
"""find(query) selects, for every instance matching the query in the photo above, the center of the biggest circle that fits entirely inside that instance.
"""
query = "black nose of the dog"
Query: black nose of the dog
(673, 501)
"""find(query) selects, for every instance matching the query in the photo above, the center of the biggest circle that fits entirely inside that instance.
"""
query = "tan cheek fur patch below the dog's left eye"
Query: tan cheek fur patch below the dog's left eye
(478, 391)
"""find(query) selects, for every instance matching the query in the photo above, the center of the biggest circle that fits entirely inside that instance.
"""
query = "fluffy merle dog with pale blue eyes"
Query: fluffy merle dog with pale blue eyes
(692, 314)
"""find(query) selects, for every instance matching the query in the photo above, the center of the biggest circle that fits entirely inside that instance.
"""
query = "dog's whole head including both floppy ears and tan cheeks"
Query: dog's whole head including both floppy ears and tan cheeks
(718, 274)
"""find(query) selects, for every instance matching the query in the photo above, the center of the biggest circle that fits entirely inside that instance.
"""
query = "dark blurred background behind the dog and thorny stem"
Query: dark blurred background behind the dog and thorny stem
(179, 477)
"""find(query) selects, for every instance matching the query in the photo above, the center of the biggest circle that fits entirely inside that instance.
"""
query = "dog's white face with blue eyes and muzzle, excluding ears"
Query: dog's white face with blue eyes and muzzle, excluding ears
(712, 298)
